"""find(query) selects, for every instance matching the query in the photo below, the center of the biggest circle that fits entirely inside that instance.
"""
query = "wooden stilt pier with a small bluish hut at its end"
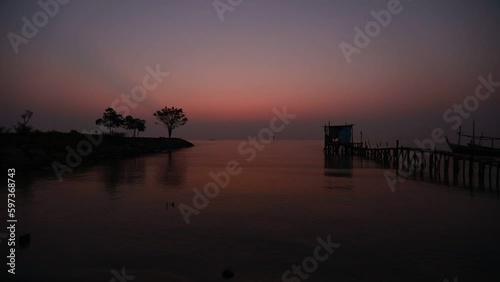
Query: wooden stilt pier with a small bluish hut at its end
(438, 166)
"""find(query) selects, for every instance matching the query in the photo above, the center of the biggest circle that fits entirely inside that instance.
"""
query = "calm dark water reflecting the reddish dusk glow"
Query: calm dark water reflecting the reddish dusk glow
(113, 216)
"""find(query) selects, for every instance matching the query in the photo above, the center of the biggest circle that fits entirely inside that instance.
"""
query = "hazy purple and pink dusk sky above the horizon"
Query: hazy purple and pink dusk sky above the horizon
(229, 70)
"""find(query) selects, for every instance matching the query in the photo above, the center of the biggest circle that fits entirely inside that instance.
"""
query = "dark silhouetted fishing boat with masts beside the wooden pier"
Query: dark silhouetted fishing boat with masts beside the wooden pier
(473, 148)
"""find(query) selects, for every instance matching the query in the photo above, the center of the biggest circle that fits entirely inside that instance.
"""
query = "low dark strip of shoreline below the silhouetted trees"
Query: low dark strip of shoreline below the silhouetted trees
(38, 151)
